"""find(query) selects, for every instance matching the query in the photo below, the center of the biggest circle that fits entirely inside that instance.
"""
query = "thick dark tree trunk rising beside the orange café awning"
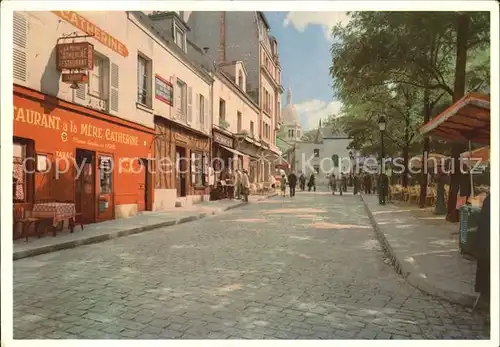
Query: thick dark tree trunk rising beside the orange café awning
(463, 23)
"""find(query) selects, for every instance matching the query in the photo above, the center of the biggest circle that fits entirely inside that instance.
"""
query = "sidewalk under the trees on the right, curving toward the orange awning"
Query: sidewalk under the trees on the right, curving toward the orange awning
(424, 249)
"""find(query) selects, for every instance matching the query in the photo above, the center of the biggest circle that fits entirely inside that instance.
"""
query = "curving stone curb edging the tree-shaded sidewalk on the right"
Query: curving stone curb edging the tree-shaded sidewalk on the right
(406, 271)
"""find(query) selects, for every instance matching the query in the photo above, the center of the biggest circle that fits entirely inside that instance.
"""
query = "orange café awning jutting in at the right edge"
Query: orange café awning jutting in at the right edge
(466, 120)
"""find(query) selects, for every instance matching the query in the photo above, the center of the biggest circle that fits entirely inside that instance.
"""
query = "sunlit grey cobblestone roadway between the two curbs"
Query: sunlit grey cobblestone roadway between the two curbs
(306, 268)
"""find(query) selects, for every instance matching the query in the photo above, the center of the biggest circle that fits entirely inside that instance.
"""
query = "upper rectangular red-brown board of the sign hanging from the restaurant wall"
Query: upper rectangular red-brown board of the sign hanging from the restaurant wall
(75, 55)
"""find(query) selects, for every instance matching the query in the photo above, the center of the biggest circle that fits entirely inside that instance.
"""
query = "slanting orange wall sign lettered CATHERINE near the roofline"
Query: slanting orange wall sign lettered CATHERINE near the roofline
(90, 28)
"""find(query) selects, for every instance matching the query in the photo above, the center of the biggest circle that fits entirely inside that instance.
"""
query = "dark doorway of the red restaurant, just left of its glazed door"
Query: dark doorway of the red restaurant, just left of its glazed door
(85, 197)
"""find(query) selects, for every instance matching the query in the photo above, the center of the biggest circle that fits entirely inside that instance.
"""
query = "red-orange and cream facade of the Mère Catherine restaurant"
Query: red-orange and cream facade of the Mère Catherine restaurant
(85, 129)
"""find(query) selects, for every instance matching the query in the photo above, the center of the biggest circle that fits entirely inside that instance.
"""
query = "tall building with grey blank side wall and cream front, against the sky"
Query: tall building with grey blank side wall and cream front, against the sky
(221, 33)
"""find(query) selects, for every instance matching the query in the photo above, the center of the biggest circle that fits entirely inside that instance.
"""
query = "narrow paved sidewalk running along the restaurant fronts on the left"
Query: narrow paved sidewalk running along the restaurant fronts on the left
(99, 232)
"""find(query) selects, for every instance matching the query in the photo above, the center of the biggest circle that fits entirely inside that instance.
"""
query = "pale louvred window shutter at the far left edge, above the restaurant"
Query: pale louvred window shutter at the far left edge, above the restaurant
(20, 40)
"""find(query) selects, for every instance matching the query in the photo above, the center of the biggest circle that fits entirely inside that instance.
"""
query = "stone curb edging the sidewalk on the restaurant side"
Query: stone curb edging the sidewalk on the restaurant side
(116, 234)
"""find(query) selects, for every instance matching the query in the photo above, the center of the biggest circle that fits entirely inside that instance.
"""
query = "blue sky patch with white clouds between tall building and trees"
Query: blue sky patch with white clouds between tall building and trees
(304, 45)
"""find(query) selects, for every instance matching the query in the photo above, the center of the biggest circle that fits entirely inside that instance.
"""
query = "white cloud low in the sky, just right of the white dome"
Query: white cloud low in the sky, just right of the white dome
(311, 111)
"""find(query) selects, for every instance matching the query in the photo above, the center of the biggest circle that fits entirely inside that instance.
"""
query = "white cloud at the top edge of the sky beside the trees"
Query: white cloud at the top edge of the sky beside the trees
(301, 20)
